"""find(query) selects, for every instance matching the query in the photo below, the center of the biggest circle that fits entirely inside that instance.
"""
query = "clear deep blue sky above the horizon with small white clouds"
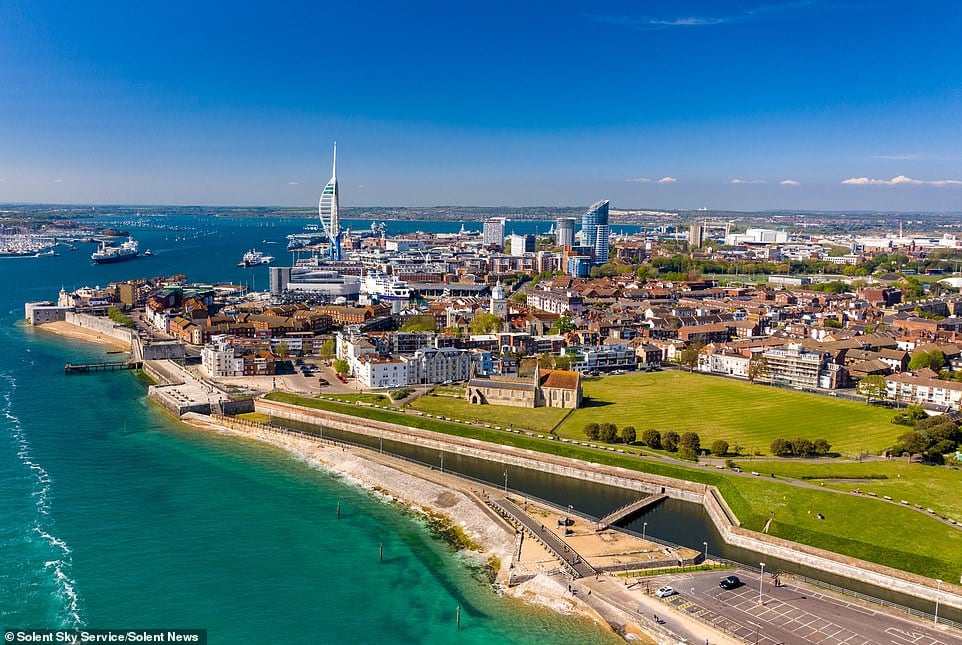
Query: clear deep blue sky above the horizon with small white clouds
(743, 105)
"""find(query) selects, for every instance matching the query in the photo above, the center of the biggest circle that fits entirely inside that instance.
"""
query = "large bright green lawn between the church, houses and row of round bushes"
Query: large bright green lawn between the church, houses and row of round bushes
(751, 416)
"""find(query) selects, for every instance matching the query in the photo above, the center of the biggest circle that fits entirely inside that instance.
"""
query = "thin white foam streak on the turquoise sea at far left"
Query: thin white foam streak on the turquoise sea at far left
(60, 567)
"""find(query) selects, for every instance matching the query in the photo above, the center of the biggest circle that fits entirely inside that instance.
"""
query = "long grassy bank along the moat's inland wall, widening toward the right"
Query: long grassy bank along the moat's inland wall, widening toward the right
(856, 525)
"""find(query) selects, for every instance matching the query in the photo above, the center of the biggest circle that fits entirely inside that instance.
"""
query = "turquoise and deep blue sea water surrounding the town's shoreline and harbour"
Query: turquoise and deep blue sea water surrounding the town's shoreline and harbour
(114, 515)
